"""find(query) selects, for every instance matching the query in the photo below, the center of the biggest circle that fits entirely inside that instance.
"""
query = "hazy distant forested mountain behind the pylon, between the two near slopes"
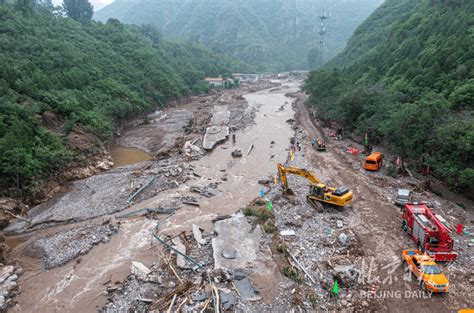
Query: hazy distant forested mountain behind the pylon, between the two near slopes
(268, 35)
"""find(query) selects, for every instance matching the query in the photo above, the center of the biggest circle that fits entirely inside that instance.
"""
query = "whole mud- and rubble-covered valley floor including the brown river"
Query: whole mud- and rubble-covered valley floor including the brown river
(222, 242)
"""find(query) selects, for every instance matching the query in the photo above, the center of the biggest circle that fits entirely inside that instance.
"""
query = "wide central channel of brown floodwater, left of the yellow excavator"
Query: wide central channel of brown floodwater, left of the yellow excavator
(270, 136)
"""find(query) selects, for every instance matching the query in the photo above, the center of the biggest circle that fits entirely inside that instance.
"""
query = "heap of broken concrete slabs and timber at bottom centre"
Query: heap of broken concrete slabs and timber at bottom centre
(201, 271)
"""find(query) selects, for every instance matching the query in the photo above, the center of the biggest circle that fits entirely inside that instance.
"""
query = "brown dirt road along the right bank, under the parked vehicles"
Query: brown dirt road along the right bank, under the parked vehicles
(377, 224)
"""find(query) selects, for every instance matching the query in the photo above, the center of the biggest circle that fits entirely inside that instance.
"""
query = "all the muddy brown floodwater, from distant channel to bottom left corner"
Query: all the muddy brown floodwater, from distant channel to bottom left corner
(78, 286)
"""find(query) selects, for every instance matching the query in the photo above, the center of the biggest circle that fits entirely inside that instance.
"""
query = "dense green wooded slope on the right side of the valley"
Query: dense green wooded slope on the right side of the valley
(406, 78)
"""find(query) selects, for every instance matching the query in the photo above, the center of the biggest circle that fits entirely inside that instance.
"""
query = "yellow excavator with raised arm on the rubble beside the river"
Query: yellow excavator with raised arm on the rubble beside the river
(319, 193)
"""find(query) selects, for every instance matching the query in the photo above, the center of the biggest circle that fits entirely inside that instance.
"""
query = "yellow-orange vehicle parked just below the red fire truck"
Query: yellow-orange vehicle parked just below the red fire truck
(426, 270)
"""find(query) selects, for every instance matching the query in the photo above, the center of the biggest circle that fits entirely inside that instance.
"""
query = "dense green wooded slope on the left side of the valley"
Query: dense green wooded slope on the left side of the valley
(89, 74)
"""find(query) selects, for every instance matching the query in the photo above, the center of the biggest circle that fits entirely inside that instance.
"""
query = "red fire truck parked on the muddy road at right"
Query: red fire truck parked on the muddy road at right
(429, 231)
